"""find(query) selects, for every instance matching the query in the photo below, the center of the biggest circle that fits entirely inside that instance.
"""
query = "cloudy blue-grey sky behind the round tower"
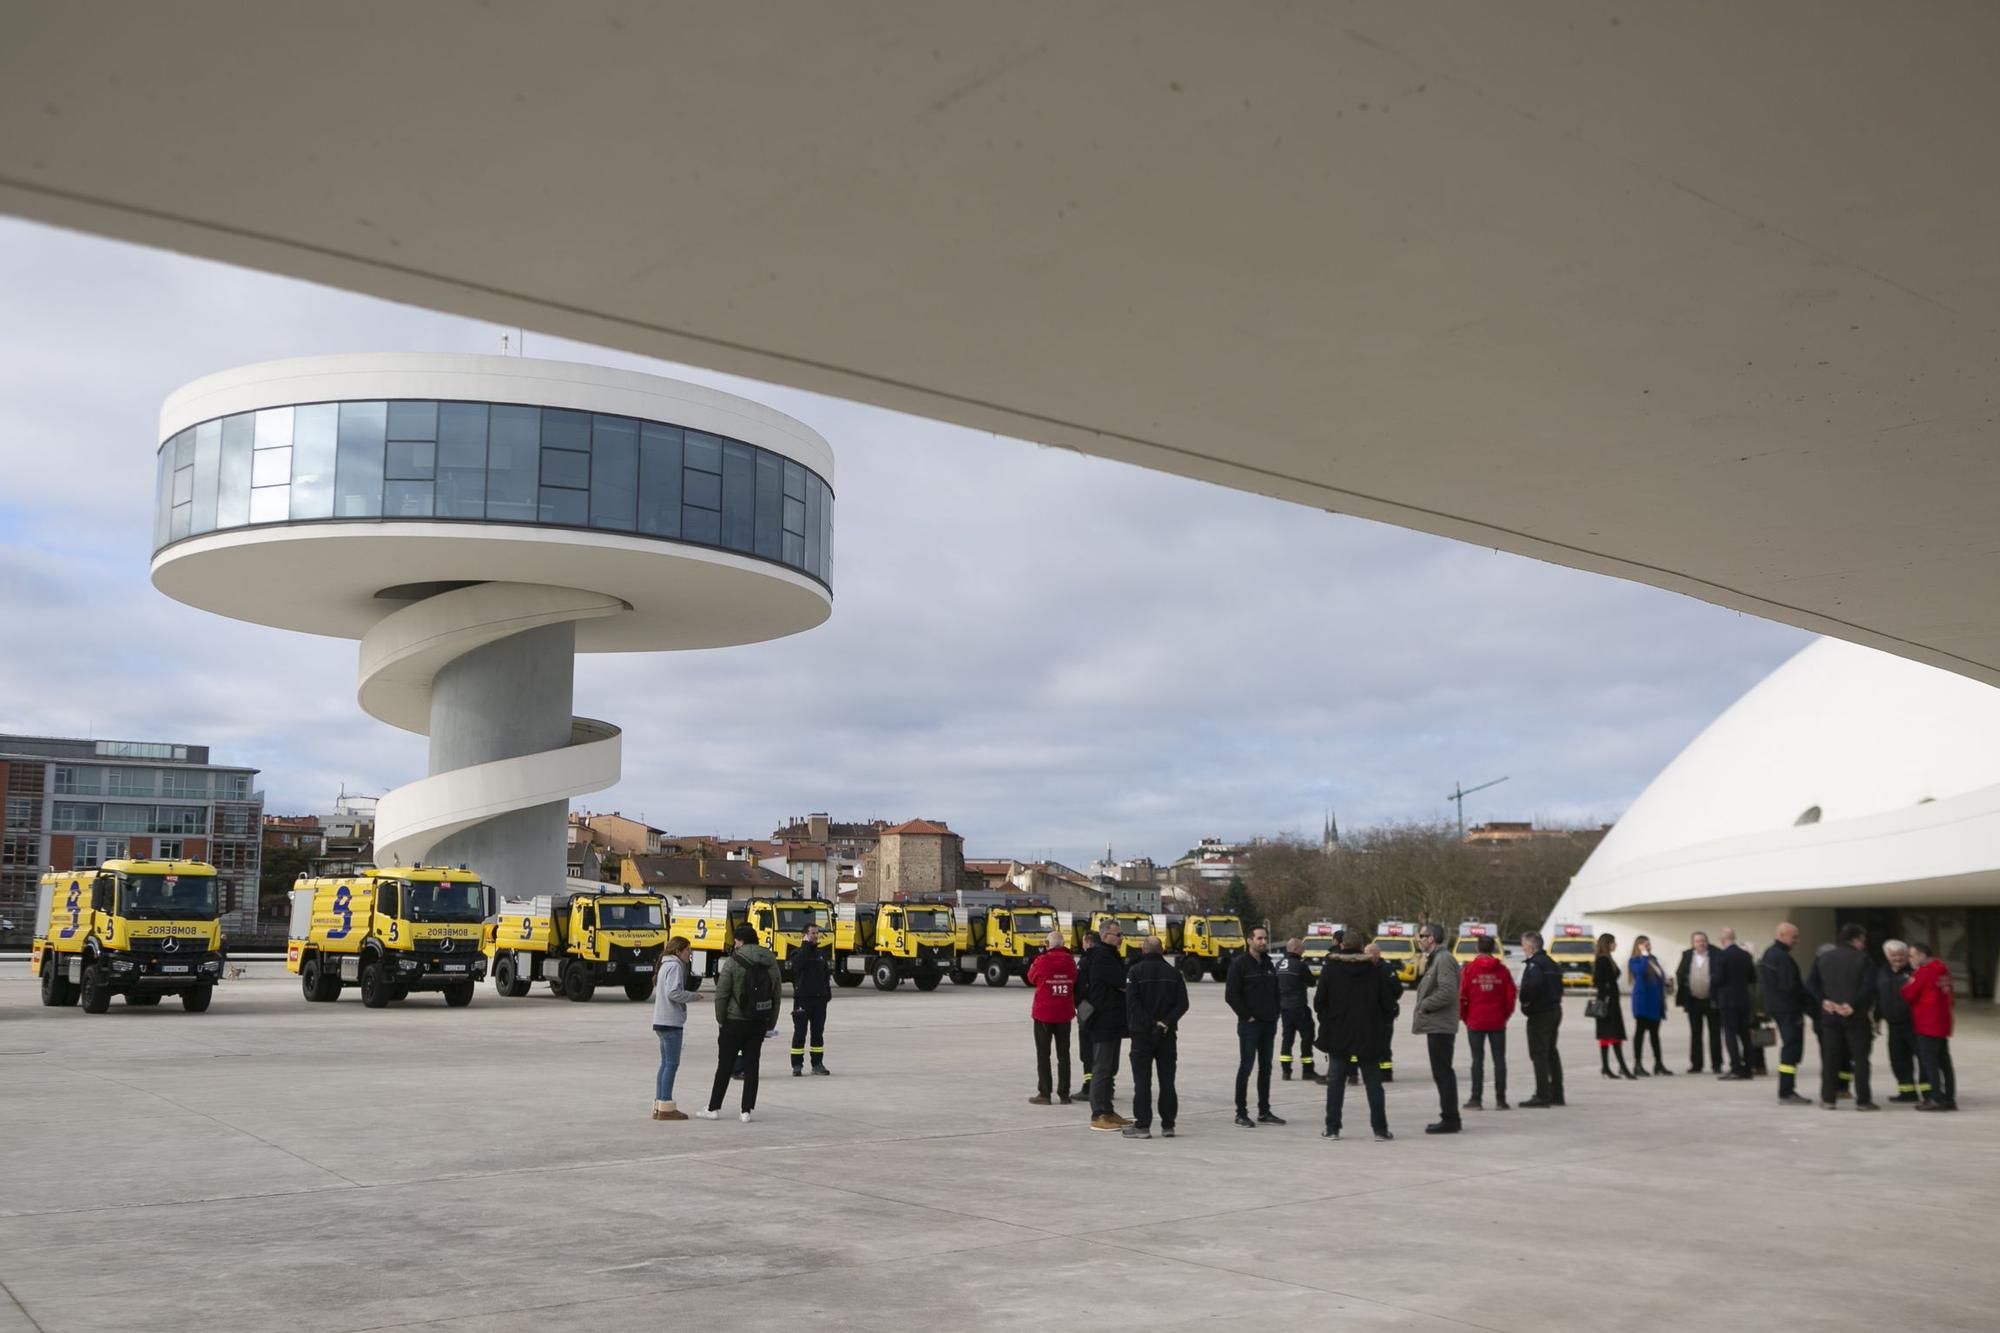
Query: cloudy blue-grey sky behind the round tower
(1053, 653)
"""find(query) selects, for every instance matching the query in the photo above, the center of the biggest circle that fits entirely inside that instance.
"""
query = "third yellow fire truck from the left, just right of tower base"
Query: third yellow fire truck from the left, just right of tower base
(579, 942)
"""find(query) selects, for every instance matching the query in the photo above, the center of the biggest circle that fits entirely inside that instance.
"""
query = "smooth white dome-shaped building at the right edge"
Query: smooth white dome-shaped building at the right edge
(1901, 762)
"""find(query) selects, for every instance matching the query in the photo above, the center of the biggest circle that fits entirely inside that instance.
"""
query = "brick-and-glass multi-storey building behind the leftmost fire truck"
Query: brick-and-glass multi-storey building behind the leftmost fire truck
(73, 806)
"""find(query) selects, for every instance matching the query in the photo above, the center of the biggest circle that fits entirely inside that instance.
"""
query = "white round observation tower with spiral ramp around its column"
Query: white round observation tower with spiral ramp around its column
(475, 523)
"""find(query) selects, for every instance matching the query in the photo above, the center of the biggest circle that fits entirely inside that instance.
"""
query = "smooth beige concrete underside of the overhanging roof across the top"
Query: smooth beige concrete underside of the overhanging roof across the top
(1701, 295)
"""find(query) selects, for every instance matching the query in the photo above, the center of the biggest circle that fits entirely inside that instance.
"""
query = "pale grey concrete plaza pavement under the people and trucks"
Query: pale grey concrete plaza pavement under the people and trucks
(277, 1166)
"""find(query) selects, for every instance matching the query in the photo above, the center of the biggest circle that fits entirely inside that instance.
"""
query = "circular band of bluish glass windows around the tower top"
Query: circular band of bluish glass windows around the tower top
(493, 463)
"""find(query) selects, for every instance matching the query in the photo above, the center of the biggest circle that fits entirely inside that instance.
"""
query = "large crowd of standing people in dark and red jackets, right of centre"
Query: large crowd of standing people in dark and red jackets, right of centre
(1351, 1018)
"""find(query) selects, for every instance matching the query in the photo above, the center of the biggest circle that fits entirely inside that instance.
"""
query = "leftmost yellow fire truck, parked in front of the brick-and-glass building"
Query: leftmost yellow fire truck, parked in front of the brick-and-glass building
(129, 928)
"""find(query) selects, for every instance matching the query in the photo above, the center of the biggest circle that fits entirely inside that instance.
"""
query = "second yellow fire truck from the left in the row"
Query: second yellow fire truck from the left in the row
(389, 932)
